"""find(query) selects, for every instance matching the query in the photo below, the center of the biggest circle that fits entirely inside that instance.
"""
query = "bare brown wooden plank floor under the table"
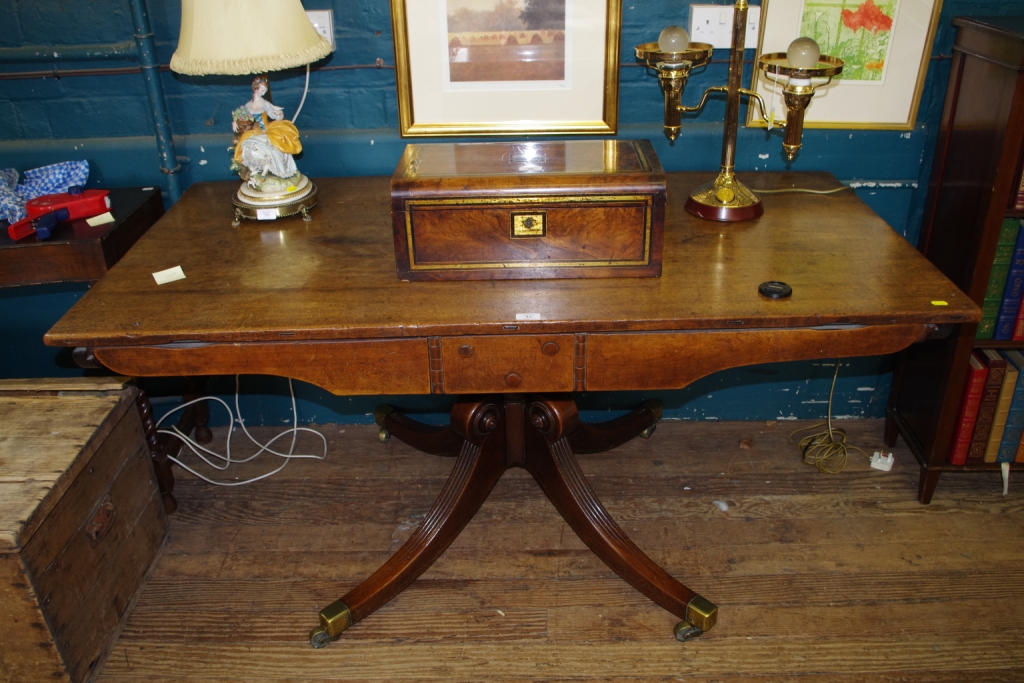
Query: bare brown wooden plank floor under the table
(819, 578)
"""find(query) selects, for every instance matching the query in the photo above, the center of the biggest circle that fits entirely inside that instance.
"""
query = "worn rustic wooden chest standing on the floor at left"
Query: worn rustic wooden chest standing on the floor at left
(81, 524)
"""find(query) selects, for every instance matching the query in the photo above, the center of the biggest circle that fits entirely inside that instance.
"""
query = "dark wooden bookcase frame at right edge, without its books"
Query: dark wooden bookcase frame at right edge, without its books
(974, 187)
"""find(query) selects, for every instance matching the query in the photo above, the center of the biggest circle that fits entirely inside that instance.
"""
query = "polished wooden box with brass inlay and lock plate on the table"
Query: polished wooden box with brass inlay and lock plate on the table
(529, 210)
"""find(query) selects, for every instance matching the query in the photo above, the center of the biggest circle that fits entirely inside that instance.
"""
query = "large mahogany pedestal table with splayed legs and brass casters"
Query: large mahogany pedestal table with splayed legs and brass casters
(320, 302)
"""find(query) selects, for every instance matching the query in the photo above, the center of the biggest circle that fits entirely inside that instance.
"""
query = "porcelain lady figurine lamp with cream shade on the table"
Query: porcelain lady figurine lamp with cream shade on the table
(238, 37)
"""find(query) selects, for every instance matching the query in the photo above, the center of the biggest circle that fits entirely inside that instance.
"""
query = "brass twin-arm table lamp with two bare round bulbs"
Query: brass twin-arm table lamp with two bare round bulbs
(673, 57)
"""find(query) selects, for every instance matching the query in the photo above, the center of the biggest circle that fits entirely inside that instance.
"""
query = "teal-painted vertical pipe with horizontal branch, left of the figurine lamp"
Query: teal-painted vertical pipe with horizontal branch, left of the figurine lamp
(144, 51)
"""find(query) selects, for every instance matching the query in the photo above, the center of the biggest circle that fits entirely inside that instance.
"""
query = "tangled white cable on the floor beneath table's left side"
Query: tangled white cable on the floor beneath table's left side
(227, 459)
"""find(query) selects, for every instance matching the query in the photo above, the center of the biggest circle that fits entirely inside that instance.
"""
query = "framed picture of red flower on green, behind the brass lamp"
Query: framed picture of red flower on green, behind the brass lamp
(878, 91)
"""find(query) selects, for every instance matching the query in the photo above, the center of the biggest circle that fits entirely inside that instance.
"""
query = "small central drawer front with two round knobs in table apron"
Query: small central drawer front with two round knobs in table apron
(516, 364)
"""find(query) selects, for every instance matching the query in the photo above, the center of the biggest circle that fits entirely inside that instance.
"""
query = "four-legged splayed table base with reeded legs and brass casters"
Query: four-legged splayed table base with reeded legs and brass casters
(539, 434)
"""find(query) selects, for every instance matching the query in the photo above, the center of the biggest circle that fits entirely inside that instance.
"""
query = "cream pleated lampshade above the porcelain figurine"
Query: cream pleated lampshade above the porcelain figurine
(235, 37)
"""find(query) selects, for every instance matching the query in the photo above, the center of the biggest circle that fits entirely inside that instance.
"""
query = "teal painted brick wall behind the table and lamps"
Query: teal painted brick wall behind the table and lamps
(350, 127)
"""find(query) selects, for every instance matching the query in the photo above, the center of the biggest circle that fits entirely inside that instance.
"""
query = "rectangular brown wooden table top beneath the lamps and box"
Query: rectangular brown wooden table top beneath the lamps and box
(334, 278)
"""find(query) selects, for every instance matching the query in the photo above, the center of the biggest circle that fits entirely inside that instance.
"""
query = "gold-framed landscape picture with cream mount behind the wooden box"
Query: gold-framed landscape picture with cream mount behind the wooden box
(441, 96)
